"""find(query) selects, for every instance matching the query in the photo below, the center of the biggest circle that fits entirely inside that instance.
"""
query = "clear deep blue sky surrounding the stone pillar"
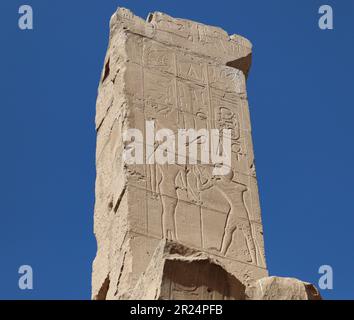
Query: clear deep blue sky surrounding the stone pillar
(300, 89)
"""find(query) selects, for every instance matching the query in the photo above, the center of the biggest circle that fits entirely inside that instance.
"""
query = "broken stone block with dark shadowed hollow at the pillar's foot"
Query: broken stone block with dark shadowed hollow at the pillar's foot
(180, 273)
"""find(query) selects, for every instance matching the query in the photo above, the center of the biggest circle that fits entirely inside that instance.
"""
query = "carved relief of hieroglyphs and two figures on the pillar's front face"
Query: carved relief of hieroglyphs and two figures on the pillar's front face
(186, 202)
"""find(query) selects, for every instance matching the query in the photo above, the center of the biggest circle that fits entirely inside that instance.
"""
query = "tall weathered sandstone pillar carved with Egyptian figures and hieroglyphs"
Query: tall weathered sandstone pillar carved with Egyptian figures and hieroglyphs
(174, 74)
